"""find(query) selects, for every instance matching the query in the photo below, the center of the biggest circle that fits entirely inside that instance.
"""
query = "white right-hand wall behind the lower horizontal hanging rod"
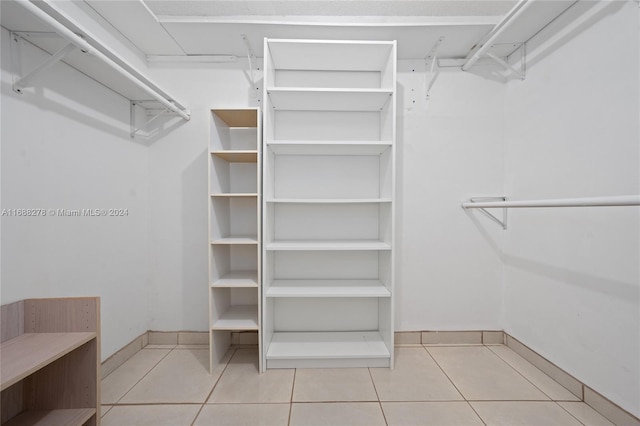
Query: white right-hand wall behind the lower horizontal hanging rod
(572, 276)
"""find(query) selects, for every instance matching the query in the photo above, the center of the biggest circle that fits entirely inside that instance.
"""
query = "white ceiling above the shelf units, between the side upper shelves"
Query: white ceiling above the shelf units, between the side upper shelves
(164, 27)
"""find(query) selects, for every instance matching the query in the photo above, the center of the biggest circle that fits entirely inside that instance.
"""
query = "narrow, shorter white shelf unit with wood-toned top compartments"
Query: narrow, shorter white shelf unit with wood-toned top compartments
(234, 226)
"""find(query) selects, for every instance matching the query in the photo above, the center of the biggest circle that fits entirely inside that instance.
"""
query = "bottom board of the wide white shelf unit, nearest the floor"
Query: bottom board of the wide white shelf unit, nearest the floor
(327, 345)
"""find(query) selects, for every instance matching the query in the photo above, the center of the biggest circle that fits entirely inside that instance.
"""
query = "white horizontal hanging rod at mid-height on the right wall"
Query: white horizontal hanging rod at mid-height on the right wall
(624, 200)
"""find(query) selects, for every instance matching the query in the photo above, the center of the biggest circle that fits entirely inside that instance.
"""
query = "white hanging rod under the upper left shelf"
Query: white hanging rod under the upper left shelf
(83, 45)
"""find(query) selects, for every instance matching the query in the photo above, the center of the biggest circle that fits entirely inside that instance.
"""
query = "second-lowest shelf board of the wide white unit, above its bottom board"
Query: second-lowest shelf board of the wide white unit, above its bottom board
(327, 288)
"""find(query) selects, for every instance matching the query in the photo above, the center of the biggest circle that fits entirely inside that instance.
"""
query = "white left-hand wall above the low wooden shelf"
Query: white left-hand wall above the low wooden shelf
(65, 145)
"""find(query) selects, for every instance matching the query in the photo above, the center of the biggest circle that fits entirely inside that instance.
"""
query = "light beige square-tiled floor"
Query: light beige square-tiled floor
(430, 385)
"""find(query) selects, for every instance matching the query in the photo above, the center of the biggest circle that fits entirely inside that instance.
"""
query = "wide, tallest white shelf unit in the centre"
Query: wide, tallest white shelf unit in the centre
(328, 203)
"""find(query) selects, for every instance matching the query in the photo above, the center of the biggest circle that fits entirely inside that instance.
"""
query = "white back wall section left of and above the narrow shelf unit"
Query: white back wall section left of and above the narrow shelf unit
(179, 191)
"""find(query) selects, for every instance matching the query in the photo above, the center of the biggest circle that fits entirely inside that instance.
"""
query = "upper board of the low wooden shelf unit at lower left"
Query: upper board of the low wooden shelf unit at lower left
(29, 352)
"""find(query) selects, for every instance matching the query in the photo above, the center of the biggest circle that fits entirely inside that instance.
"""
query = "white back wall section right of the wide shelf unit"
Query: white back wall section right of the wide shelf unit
(449, 149)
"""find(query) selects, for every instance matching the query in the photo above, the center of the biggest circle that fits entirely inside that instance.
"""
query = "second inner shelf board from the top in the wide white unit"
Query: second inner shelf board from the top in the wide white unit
(283, 147)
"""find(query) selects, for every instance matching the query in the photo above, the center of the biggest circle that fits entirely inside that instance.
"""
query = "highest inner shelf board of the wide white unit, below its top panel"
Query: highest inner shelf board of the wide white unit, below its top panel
(315, 99)
